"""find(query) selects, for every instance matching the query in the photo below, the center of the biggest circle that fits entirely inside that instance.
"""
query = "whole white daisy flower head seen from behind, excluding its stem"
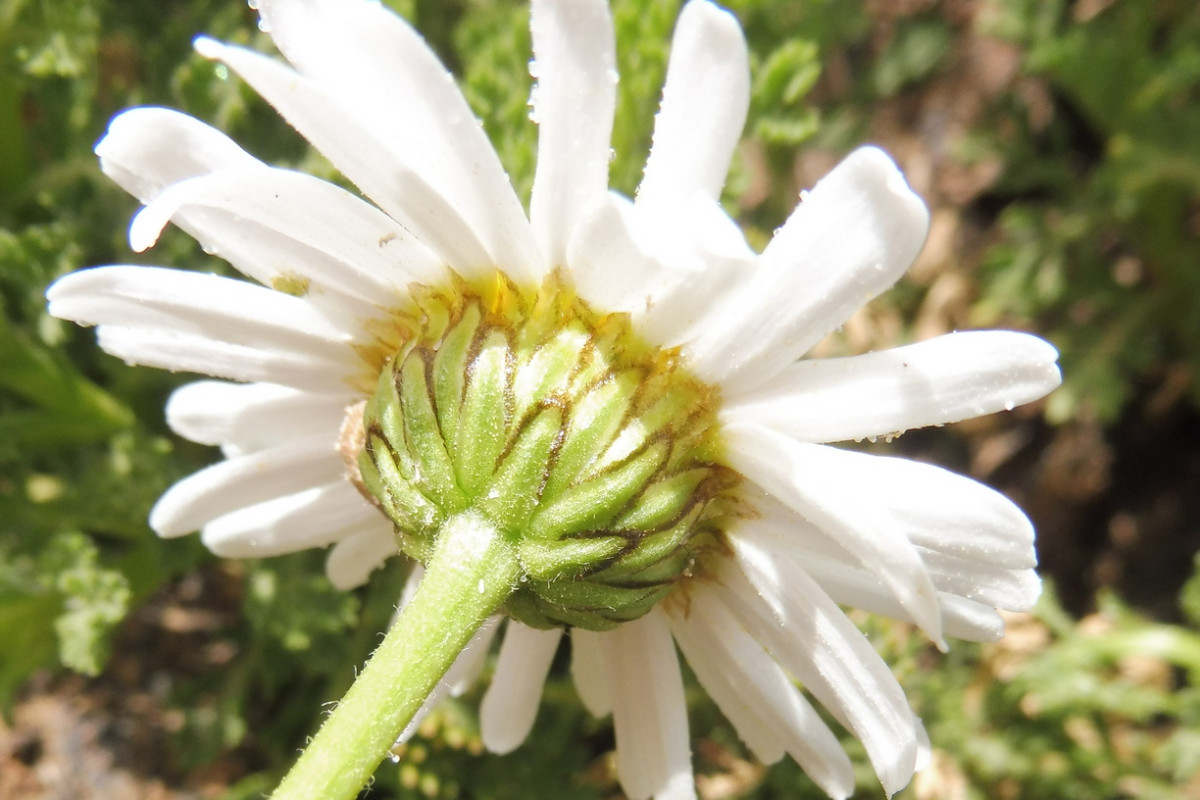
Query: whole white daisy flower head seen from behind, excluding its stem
(617, 387)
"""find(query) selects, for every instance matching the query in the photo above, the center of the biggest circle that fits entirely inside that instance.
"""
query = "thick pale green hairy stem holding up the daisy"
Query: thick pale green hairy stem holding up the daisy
(471, 575)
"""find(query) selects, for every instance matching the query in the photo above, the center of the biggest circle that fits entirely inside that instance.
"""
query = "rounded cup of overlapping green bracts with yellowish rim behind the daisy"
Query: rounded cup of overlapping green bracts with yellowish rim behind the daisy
(595, 454)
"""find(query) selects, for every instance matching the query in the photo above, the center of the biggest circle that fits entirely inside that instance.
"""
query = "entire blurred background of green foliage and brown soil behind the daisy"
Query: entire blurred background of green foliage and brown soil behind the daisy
(1058, 146)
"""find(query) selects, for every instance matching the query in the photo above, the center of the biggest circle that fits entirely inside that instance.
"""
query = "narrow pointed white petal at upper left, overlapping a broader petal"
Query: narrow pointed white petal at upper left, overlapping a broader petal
(377, 169)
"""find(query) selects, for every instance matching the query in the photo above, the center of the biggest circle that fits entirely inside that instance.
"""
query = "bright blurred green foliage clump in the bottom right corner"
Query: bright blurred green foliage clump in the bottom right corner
(1100, 708)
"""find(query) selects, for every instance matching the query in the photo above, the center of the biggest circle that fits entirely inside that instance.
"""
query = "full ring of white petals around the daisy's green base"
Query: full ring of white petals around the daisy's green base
(298, 352)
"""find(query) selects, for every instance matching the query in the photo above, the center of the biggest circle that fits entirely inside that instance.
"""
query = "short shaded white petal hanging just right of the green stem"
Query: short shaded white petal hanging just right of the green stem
(512, 702)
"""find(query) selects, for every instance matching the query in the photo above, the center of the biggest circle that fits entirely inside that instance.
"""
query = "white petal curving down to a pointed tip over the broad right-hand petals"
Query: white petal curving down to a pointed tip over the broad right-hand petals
(835, 491)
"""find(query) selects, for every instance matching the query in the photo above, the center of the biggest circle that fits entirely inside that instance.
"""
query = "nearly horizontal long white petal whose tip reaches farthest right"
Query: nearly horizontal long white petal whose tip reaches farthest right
(946, 380)
